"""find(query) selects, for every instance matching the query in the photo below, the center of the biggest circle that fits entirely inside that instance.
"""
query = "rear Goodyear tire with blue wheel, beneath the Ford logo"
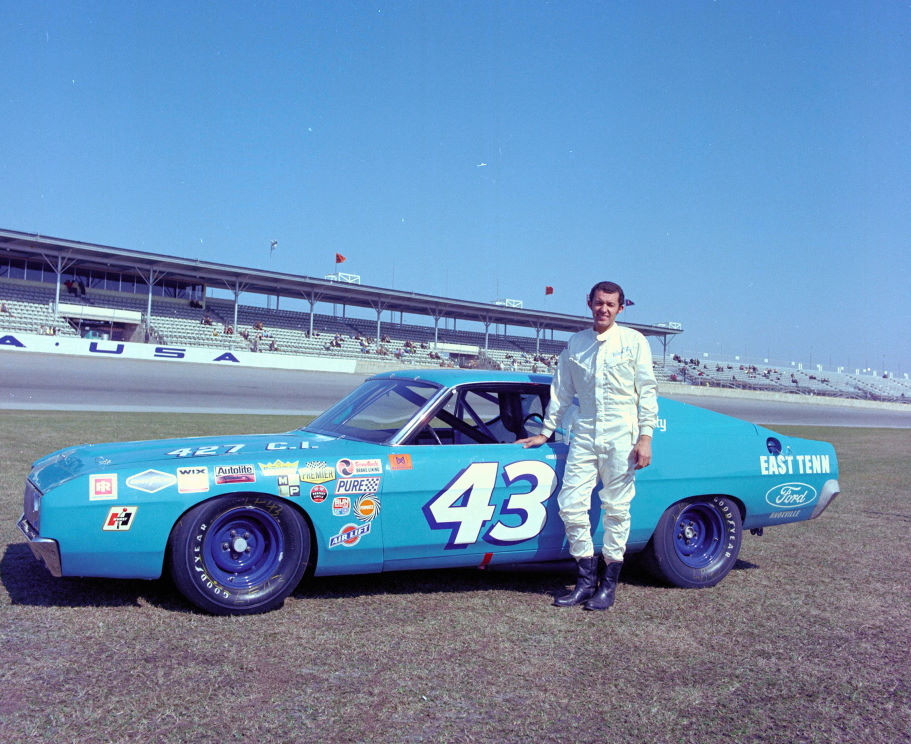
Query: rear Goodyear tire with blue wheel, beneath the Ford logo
(696, 542)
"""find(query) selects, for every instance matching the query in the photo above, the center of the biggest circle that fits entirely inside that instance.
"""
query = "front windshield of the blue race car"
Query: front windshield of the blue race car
(375, 411)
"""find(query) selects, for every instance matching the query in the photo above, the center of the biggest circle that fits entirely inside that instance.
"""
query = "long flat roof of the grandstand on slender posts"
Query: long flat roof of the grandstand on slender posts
(152, 267)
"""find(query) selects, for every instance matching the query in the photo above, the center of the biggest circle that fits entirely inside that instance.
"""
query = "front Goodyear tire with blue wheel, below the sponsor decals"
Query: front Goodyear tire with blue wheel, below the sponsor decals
(239, 554)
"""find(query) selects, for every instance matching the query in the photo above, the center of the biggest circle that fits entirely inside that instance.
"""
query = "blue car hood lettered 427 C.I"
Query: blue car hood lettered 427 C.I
(72, 462)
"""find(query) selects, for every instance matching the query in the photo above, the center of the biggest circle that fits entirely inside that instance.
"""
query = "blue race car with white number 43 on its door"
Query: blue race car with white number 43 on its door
(412, 470)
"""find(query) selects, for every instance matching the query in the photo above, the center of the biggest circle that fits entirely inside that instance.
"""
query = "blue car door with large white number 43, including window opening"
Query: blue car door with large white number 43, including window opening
(461, 492)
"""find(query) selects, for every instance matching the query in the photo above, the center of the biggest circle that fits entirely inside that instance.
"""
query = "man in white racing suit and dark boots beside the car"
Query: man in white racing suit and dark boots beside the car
(608, 370)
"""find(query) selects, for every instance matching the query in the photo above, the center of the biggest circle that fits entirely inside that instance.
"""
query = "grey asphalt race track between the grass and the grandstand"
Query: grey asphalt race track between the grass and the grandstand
(52, 382)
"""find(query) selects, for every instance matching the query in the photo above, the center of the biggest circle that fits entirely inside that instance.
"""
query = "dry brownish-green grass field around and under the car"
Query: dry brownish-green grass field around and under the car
(805, 641)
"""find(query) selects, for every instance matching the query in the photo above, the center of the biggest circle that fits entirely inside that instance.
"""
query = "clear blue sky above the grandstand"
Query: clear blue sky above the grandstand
(743, 168)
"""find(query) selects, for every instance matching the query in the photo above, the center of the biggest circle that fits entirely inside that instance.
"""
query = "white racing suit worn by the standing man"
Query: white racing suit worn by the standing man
(610, 375)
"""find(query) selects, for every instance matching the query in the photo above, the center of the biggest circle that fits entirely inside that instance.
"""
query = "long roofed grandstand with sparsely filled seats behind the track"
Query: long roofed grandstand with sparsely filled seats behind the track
(61, 287)
